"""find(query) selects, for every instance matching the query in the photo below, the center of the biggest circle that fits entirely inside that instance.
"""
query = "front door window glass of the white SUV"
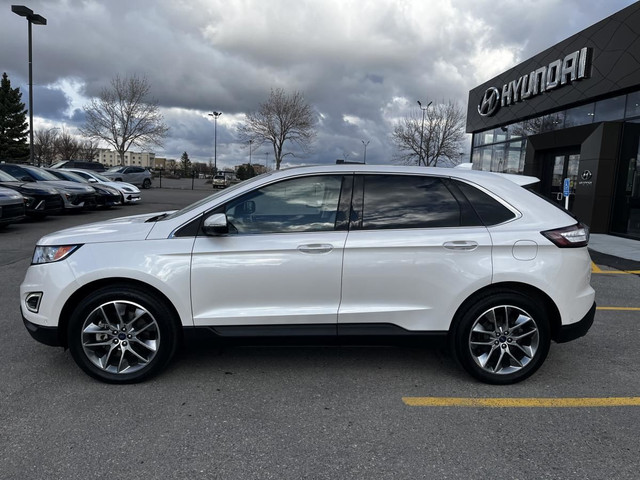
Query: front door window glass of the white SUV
(306, 204)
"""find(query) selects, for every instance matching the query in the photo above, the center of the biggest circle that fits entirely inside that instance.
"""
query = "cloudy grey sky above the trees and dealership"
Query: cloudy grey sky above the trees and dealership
(361, 64)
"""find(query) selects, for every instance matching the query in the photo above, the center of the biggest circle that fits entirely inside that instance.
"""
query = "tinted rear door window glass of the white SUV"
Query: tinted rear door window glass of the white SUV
(399, 201)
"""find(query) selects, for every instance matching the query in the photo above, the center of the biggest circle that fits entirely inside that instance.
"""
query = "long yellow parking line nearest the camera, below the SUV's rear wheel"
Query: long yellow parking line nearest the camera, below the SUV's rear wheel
(522, 402)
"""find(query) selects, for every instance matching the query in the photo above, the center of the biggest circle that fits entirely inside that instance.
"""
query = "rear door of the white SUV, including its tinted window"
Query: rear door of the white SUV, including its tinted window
(416, 249)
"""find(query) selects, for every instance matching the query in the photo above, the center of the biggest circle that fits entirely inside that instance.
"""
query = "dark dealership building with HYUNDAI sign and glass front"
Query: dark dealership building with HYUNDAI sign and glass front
(571, 112)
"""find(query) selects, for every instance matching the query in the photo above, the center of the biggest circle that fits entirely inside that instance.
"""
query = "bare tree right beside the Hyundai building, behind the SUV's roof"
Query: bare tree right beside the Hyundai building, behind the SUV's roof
(442, 136)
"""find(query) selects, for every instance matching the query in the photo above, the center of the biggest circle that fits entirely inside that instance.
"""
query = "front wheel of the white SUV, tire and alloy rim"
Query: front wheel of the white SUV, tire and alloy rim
(121, 334)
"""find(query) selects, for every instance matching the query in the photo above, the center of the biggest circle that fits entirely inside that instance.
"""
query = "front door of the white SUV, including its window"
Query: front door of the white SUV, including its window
(280, 263)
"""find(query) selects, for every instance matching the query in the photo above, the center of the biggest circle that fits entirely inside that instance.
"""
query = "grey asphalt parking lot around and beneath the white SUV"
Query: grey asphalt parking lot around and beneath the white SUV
(319, 412)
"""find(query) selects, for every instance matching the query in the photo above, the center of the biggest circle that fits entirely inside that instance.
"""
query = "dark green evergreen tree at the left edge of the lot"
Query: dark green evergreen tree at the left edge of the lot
(13, 123)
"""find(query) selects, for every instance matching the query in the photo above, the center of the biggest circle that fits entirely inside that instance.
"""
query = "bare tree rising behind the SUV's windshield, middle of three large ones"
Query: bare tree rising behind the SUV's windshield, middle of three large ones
(282, 118)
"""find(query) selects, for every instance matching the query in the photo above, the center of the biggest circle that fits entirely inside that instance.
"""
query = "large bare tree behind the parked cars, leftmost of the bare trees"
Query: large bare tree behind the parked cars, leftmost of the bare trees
(123, 116)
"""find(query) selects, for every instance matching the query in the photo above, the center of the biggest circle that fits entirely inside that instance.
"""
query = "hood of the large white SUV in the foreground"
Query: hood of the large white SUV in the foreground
(124, 229)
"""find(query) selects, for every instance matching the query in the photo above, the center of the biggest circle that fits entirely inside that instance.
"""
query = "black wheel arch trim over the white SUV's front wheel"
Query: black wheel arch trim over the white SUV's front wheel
(78, 295)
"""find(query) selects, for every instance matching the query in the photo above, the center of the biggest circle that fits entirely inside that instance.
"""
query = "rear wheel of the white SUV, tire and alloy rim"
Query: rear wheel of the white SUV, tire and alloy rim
(502, 337)
